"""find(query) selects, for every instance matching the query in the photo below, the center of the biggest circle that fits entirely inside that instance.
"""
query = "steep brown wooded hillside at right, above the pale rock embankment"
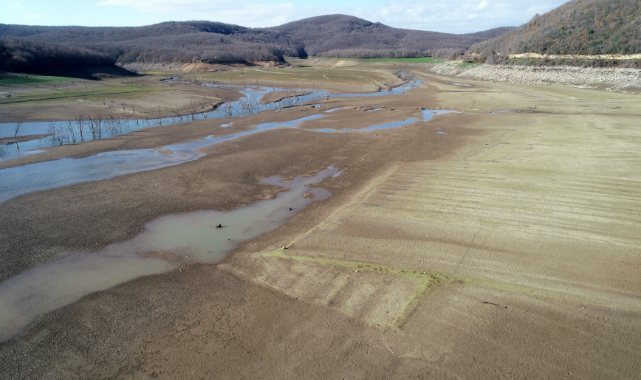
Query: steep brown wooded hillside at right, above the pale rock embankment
(577, 27)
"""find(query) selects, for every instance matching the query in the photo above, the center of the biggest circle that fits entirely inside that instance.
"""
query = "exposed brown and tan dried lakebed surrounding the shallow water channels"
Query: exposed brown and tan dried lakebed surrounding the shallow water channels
(507, 247)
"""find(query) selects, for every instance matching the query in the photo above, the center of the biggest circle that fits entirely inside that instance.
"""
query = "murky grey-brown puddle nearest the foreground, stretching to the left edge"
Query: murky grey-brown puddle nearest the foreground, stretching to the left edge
(166, 243)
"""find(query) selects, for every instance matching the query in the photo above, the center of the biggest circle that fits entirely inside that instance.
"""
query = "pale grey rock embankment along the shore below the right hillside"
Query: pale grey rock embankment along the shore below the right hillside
(619, 79)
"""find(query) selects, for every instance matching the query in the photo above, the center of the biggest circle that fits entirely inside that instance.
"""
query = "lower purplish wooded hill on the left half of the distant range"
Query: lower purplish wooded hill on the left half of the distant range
(165, 42)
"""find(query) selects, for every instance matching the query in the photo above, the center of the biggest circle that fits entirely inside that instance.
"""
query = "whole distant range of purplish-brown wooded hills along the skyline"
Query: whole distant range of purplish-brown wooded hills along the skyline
(213, 42)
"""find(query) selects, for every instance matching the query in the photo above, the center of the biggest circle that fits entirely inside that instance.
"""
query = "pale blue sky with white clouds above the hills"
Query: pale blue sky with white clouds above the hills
(451, 16)
